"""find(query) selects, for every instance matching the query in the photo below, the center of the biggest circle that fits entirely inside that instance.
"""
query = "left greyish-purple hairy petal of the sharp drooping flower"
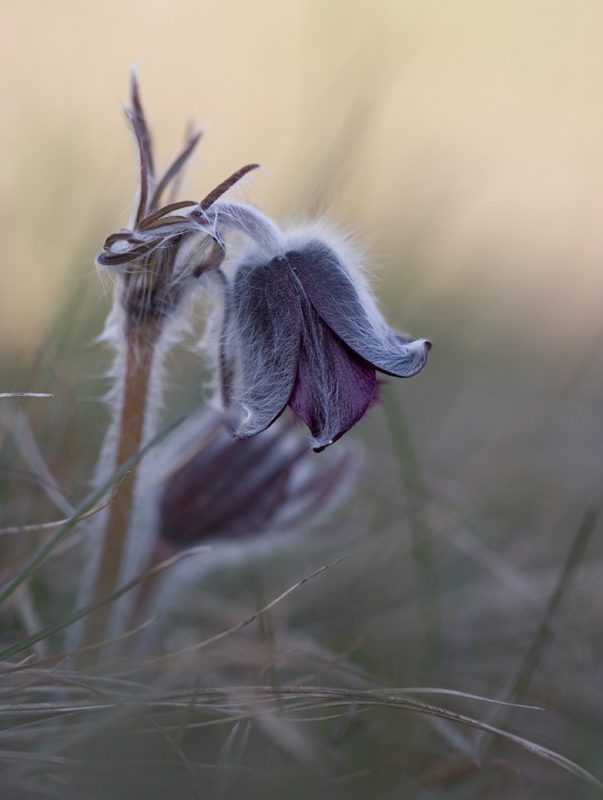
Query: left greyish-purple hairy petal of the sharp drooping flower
(265, 335)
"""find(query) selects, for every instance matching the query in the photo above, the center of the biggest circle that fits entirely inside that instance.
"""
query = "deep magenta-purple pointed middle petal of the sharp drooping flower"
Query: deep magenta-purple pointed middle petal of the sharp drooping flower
(334, 387)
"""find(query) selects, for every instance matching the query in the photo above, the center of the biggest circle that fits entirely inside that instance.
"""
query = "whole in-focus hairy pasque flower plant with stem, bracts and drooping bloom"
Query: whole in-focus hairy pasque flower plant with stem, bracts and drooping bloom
(299, 328)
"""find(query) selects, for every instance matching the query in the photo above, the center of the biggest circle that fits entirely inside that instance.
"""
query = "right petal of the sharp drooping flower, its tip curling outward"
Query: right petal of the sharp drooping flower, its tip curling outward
(335, 297)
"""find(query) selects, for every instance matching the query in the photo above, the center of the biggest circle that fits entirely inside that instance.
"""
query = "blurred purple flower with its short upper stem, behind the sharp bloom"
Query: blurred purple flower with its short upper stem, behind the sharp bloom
(228, 491)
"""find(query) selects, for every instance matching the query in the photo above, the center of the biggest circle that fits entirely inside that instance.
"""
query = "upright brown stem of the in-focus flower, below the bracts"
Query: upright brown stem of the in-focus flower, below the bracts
(141, 341)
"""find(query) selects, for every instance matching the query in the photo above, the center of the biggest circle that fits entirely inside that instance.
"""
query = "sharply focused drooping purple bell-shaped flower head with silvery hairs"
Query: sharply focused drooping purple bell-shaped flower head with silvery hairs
(302, 329)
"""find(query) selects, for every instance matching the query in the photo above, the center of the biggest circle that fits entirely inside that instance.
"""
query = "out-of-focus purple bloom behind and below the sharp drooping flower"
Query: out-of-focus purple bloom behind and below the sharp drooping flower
(224, 488)
